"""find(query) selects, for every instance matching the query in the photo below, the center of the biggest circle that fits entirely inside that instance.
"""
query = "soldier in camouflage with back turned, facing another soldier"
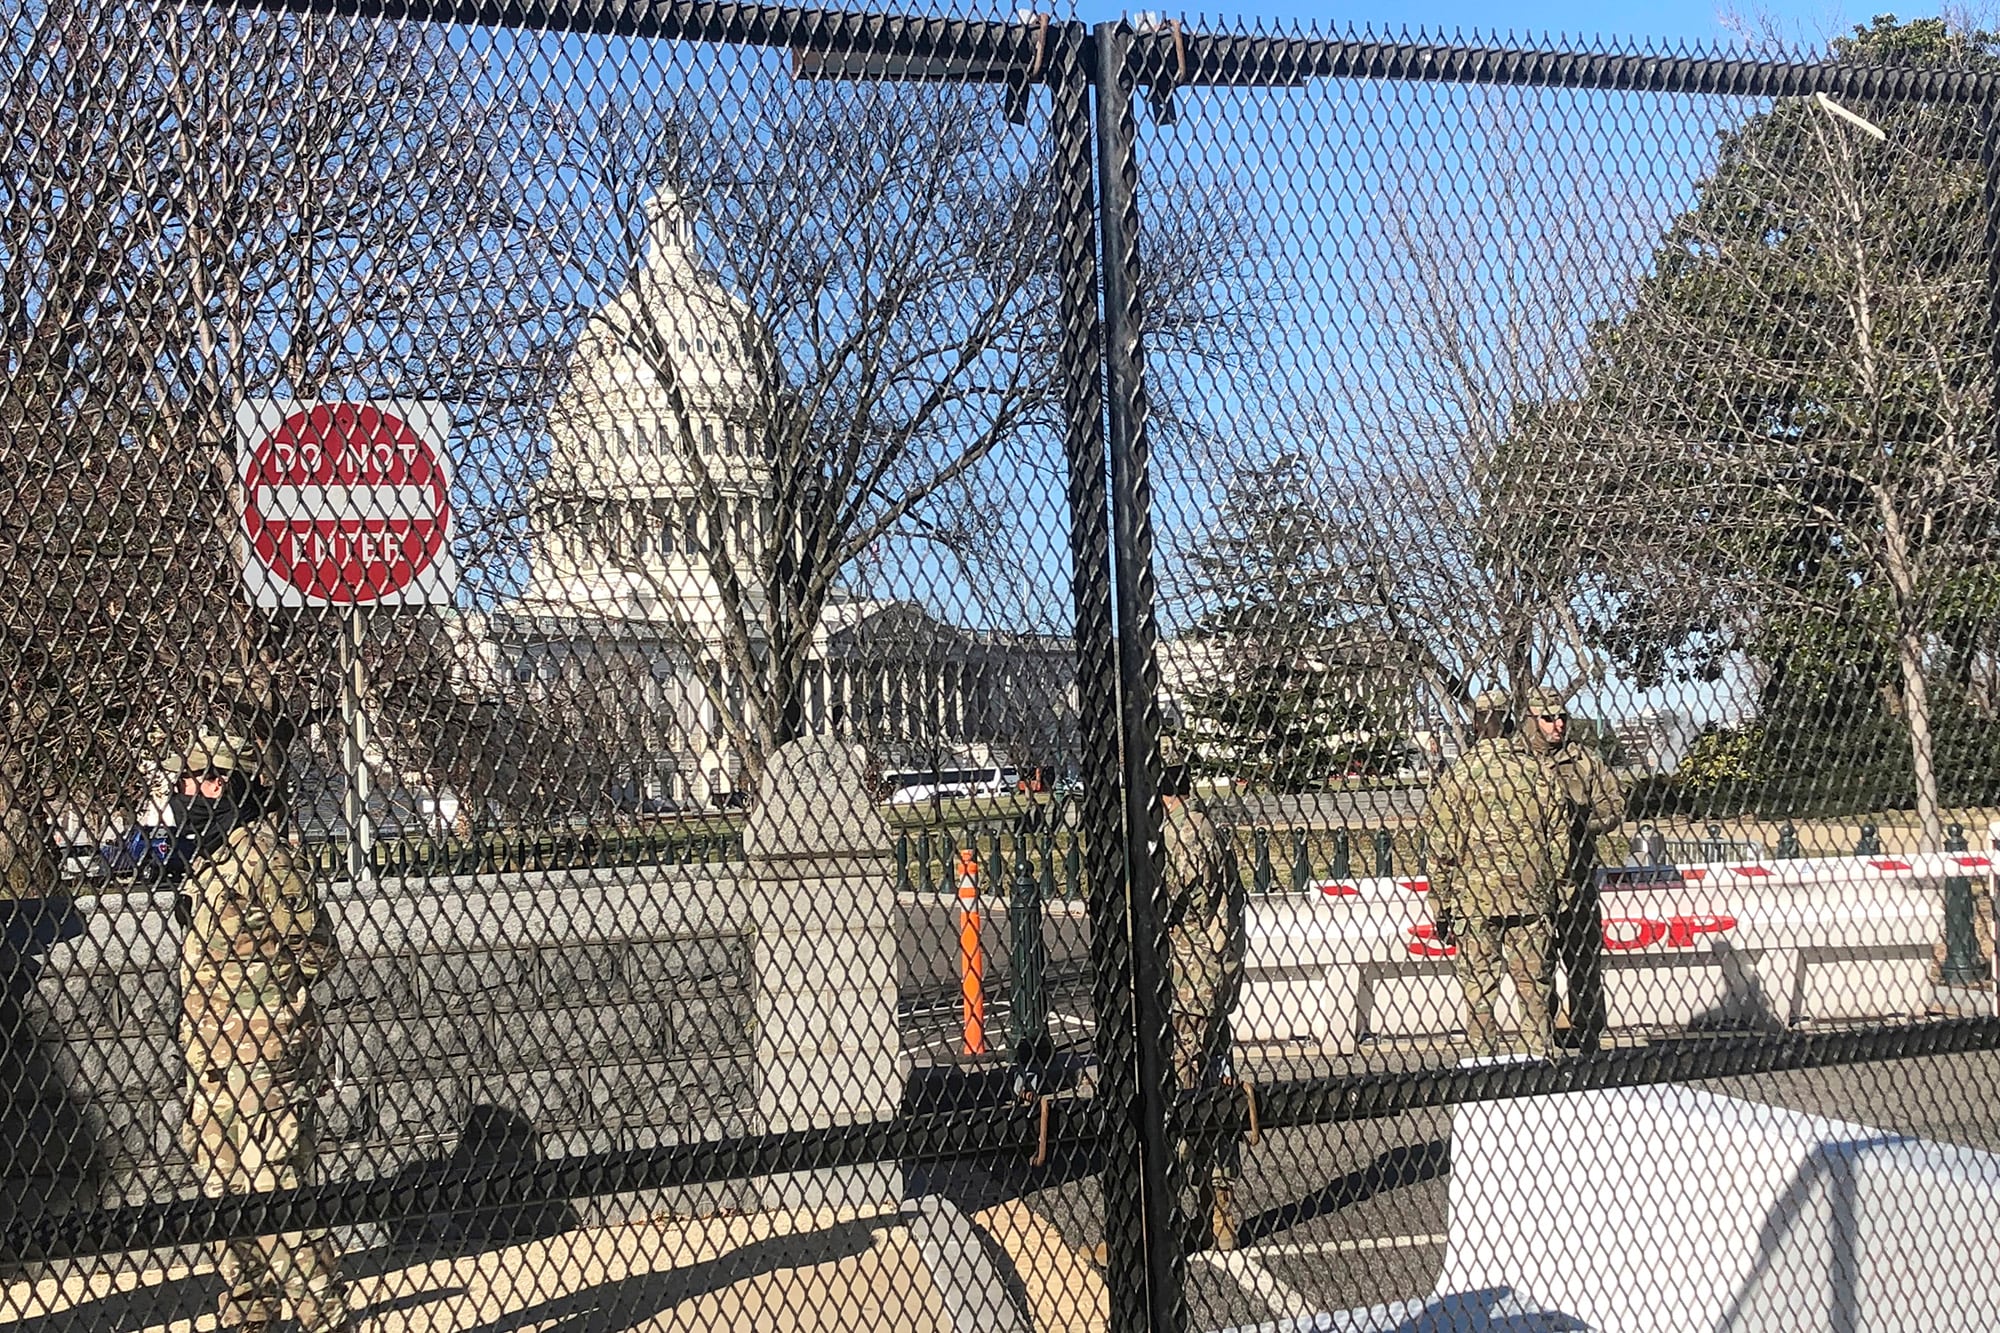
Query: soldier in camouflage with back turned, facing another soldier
(1493, 822)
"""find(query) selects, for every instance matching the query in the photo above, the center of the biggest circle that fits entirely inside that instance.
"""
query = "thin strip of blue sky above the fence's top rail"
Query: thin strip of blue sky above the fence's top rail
(1665, 21)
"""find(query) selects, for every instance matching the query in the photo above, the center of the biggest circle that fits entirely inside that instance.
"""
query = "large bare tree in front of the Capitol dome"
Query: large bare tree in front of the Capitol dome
(869, 293)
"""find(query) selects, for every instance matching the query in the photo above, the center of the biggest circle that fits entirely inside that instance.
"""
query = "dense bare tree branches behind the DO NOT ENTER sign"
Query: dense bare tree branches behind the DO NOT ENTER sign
(205, 207)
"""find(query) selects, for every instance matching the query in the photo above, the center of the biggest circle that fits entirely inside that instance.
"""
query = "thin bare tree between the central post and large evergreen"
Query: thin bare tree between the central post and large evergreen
(1473, 303)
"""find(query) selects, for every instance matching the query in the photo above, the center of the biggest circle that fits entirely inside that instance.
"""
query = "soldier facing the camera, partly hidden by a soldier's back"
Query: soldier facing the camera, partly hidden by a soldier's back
(1593, 808)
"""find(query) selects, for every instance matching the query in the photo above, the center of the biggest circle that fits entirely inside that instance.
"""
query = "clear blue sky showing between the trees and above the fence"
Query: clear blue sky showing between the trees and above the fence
(1543, 199)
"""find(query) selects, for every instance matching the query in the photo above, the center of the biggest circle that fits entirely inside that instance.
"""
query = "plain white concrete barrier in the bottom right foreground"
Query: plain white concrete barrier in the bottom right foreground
(1667, 1208)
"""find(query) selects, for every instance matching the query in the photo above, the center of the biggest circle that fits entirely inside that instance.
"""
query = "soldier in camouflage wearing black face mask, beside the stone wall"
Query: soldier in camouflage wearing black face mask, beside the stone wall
(255, 944)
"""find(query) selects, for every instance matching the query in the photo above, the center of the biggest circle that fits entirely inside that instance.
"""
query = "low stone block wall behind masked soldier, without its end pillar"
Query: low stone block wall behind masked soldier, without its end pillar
(553, 1012)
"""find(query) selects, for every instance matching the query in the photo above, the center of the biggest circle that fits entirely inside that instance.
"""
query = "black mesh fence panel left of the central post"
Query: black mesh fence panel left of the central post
(513, 529)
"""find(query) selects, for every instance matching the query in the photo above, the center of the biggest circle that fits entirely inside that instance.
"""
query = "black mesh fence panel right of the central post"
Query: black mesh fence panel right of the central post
(1577, 577)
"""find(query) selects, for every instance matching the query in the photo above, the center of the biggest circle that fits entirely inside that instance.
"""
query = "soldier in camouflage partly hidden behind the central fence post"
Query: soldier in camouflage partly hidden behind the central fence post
(1205, 928)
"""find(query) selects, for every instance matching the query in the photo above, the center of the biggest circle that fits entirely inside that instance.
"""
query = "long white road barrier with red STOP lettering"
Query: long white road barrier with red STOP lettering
(1709, 946)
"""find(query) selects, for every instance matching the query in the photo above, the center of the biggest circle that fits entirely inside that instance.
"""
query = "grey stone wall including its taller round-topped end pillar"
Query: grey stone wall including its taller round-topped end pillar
(535, 1014)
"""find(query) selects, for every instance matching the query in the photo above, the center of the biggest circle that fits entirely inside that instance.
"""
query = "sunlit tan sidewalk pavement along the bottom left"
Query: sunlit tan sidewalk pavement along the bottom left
(925, 1270)
